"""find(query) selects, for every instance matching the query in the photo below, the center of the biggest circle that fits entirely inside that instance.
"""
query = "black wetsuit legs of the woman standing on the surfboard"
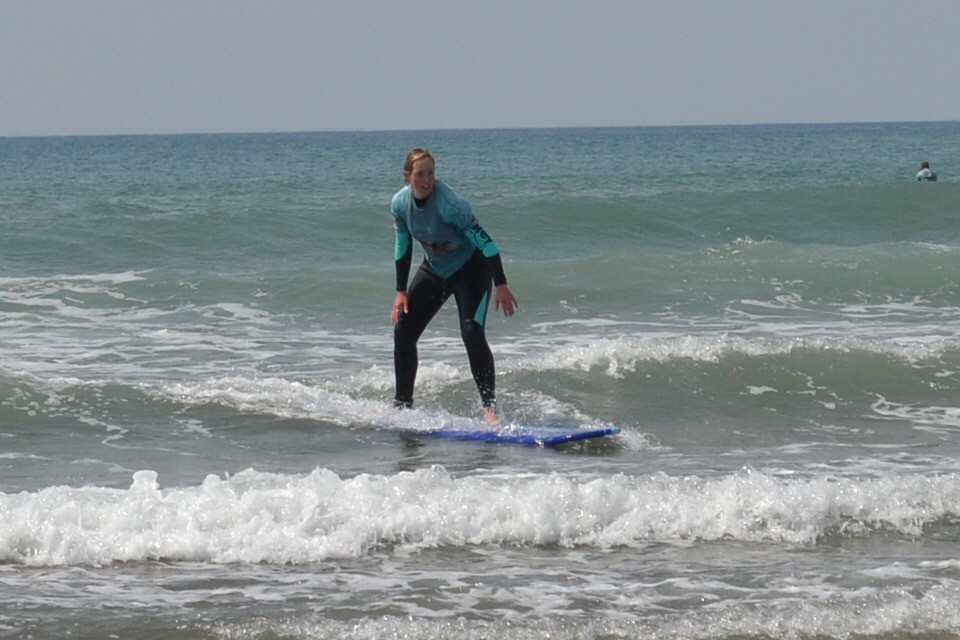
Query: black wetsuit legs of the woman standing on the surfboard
(471, 286)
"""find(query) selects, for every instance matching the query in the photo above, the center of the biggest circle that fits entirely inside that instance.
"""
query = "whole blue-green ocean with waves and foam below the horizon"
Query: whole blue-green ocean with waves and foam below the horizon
(196, 432)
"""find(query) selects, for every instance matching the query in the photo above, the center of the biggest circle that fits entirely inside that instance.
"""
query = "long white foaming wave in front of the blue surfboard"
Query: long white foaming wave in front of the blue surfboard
(256, 517)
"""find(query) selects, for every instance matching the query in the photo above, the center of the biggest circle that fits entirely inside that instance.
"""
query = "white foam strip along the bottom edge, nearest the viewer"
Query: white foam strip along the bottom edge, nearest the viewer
(893, 613)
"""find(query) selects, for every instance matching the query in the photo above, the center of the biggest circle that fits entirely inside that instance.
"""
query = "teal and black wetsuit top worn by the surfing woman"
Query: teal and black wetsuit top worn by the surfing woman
(445, 226)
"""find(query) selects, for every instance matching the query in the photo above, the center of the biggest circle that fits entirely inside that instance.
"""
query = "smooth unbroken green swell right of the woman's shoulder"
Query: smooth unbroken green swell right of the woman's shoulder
(843, 217)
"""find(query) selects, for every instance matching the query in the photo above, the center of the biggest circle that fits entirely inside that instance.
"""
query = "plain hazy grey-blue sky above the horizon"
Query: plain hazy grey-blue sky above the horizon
(95, 67)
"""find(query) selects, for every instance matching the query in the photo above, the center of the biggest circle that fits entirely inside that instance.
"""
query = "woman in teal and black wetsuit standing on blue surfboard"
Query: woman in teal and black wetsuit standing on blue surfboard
(459, 259)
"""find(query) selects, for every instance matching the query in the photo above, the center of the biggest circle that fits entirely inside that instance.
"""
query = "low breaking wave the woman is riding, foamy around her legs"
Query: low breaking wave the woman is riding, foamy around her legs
(539, 378)
